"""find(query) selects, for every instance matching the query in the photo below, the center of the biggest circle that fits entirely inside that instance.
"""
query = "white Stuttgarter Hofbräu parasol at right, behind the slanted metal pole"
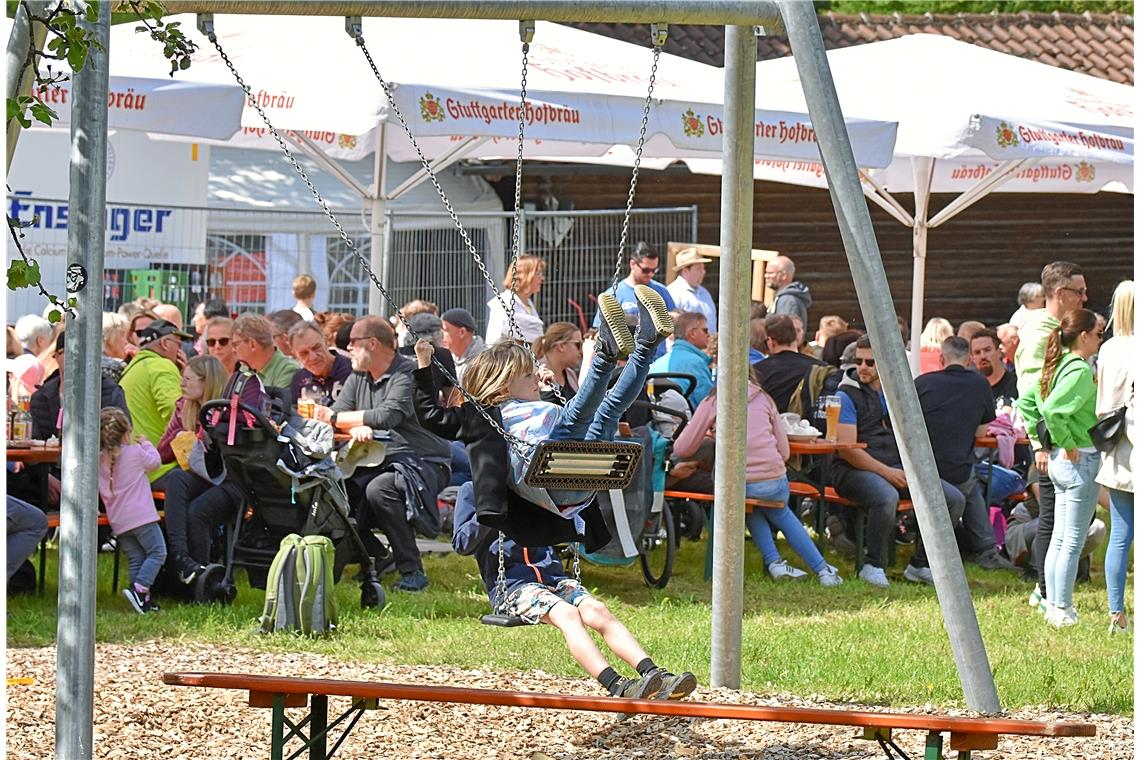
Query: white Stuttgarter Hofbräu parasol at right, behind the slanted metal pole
(972, 121)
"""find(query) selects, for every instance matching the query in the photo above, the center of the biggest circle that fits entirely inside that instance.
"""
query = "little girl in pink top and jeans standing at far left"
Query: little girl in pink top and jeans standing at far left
(126, 493)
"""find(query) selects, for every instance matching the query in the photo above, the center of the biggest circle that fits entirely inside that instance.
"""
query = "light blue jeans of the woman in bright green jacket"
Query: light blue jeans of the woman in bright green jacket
(1076, 492)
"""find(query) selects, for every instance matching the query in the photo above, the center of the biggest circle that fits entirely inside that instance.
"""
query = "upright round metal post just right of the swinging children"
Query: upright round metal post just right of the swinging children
(737, 190)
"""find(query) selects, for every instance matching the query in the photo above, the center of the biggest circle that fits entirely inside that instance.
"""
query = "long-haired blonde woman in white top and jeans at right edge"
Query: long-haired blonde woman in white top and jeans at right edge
(1115, 389)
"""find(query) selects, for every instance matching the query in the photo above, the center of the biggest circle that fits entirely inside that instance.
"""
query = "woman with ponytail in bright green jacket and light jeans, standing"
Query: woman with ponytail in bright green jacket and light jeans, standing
(1066, 399)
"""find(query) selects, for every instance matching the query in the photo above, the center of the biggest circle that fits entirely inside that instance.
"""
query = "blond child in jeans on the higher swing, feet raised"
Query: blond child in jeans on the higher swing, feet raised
(506, 375)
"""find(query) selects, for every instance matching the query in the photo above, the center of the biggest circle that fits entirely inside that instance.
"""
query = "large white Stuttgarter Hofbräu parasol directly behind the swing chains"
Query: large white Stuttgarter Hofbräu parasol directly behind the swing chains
(585, 95)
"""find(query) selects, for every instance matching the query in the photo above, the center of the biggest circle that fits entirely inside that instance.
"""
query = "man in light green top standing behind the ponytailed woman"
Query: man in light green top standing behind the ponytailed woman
(1065, 291)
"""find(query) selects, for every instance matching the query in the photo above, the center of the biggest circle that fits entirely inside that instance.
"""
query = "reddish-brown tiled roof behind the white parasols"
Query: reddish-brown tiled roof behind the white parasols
(1094, 44)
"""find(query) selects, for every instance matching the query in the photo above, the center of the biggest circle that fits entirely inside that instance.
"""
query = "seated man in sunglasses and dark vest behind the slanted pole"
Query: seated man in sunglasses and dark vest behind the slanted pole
(874, 477)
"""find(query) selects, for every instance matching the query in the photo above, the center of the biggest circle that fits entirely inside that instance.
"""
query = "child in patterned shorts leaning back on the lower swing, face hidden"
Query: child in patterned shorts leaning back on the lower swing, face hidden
(539, 591)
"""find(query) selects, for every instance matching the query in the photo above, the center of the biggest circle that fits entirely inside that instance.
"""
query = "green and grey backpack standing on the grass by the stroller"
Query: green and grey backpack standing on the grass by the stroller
(299, 590)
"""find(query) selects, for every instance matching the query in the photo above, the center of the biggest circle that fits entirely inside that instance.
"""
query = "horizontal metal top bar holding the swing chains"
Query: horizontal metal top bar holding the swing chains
(750, 13)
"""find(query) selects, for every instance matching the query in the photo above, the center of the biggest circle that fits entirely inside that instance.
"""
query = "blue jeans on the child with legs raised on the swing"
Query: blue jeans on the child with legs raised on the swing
(595, 412)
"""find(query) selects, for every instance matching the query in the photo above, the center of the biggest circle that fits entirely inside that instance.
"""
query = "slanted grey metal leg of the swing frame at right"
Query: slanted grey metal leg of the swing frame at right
(874, 293)
